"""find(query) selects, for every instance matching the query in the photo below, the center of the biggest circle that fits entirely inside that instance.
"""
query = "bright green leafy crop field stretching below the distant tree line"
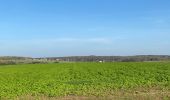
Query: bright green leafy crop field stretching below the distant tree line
(85, 80)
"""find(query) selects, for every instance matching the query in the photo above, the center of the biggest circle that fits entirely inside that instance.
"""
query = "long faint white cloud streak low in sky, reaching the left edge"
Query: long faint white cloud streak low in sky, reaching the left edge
(64, 41)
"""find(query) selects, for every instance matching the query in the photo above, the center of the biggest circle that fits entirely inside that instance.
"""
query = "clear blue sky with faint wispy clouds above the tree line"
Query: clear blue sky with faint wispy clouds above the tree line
(52, 28)
